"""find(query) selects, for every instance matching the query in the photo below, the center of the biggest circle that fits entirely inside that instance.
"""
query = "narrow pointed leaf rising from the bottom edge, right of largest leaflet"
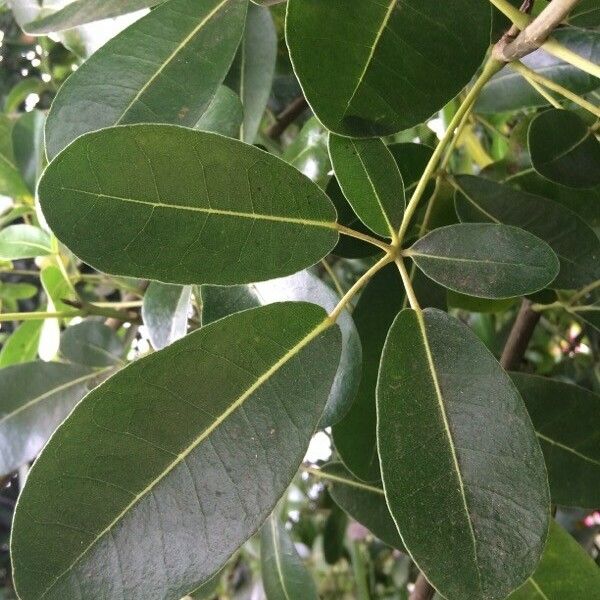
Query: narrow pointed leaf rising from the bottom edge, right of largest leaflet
(284, 575)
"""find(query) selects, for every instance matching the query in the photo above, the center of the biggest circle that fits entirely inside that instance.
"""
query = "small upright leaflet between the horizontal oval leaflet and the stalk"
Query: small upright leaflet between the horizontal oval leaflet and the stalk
(371, 181)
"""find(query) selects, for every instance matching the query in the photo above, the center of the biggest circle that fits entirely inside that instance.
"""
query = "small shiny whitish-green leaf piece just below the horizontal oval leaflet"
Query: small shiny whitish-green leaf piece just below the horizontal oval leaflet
(165, 312)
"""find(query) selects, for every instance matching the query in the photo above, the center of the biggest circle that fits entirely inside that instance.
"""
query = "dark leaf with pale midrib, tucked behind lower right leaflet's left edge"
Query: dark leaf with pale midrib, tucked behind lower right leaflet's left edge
(364, 502)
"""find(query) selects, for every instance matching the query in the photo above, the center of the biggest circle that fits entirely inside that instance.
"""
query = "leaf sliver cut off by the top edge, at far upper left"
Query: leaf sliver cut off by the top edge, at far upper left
(80, 12)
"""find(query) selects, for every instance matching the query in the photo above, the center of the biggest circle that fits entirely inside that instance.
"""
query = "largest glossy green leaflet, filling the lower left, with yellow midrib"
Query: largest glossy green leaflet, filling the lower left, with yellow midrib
(169, 466)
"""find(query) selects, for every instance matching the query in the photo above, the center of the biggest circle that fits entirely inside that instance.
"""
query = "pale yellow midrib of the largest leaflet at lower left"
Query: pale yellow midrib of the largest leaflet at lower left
(320, 328)
